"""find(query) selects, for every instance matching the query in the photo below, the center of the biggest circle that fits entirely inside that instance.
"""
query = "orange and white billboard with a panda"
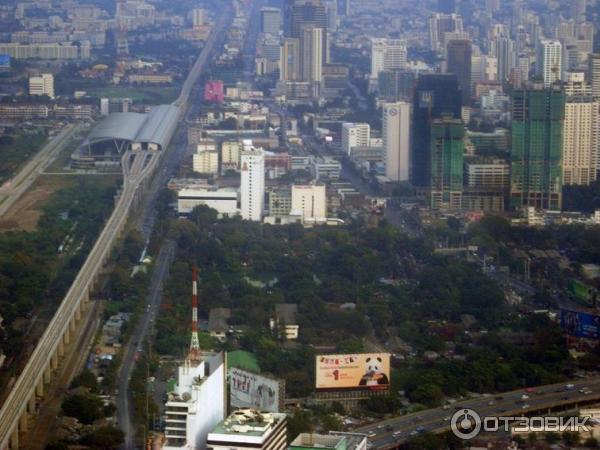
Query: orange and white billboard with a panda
(358, 371)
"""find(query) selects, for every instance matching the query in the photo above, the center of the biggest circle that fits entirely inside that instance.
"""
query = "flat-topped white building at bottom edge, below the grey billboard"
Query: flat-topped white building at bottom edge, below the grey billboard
(248, 428)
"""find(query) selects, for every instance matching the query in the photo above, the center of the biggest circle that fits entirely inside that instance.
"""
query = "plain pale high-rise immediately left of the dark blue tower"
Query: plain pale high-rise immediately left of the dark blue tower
(396, 140)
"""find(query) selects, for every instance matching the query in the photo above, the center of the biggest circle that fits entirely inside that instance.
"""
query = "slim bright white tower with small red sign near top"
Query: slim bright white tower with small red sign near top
(253, 182)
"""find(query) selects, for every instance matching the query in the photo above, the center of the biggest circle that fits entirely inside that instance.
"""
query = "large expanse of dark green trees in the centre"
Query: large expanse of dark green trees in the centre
(355, 285)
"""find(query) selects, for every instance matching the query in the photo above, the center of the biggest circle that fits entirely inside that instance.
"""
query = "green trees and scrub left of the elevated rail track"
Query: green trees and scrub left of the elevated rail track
(35, 272)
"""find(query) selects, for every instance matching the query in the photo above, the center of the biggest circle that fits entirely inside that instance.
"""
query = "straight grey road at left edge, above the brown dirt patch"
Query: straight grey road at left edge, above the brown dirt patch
(13, 189)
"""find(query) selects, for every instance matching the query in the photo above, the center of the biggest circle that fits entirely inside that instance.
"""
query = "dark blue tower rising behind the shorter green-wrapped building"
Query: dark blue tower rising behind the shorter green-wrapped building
(436, 96)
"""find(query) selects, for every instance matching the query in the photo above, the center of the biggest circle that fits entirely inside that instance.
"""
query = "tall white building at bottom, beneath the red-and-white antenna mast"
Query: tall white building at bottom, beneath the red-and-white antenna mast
(197, 404)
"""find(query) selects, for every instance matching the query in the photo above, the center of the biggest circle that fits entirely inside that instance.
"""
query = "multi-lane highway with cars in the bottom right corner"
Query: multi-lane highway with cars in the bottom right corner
(391, 432)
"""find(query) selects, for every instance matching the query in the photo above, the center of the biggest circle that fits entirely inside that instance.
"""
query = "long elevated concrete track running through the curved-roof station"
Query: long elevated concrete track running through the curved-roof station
(28, 389)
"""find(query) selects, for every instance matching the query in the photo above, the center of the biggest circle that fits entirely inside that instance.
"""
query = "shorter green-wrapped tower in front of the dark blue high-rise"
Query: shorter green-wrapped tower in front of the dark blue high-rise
(446, 154)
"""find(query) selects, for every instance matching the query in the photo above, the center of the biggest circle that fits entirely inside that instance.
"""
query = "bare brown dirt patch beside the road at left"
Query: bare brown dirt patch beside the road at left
(26, 211)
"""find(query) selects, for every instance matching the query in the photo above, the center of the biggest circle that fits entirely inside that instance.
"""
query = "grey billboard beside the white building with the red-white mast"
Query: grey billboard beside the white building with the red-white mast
(249, 390)
